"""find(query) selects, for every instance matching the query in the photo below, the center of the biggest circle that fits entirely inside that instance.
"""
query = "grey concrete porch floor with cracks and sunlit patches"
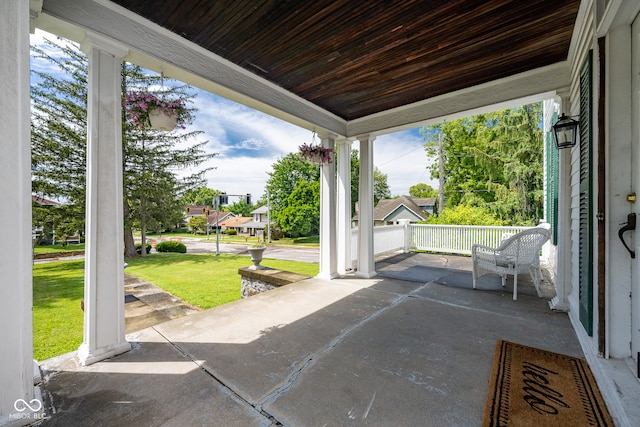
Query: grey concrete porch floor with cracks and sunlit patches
(412, 347)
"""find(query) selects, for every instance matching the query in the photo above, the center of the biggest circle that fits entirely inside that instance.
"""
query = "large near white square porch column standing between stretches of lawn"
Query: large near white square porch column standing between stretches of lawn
(104, 249)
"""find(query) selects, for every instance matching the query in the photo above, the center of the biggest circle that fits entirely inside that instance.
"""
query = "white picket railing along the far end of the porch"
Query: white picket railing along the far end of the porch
(453, 239)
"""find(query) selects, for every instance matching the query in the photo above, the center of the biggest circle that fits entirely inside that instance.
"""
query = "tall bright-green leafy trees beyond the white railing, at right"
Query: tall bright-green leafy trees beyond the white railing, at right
(495, 157)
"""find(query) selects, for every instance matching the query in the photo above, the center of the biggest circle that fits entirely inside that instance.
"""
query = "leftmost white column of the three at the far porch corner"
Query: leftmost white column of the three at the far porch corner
(328, 247)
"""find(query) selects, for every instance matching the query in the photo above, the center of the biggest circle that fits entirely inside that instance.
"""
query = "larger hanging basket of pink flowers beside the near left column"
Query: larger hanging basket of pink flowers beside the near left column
(146, 110)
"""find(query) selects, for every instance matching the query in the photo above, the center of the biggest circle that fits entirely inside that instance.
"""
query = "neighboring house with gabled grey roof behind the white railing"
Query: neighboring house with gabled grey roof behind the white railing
(390, 211)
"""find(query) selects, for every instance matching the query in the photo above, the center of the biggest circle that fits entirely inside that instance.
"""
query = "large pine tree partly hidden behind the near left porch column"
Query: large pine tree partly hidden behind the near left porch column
(150, 158)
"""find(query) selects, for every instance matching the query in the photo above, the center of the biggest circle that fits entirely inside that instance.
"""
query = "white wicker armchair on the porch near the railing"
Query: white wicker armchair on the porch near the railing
(517, 254)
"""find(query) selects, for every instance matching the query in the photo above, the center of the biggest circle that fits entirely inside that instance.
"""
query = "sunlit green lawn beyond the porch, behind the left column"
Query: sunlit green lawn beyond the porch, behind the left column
(204, 281)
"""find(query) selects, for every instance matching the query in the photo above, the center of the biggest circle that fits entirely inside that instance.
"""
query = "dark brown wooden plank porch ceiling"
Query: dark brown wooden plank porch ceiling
(356, 58)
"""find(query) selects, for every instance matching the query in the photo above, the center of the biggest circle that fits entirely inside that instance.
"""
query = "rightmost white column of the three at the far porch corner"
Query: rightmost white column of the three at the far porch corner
(366, 264)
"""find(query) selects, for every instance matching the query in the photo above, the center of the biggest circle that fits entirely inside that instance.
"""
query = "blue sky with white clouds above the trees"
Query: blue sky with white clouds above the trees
(249, 142)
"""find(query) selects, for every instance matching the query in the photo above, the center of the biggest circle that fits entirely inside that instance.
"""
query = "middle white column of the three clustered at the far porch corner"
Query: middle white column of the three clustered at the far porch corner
(344, 206)
